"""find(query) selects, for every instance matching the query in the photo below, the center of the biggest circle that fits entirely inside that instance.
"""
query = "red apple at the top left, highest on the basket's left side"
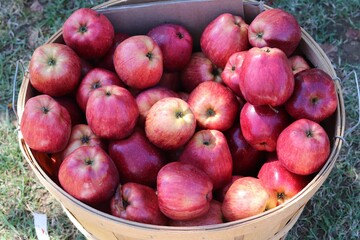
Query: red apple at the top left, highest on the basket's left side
(89, 33)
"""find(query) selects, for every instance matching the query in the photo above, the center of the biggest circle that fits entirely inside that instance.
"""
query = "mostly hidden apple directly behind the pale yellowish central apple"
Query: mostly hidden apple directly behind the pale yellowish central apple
(147, 98)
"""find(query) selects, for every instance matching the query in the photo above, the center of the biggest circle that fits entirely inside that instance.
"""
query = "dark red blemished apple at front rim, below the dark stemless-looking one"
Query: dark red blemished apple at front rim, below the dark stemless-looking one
(136, 202)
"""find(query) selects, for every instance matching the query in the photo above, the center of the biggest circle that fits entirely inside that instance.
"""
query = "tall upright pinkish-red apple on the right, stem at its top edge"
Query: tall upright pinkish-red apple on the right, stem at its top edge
(266, 77)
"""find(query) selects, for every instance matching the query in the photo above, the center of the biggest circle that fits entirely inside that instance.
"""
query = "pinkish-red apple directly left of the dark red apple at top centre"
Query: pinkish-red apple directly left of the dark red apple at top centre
(138, 61)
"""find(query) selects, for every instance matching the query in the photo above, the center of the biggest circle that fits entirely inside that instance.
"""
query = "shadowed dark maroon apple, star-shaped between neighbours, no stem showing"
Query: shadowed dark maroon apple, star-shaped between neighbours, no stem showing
(136, 159)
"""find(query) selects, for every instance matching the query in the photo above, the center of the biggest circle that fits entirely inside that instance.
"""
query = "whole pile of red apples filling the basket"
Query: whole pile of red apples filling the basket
(150, 129)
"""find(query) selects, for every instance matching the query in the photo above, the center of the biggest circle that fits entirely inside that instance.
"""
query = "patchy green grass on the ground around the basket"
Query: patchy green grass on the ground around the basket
(332, 213)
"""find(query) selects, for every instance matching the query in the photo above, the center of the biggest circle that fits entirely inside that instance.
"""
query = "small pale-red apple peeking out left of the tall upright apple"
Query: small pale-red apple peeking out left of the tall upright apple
(231, 73)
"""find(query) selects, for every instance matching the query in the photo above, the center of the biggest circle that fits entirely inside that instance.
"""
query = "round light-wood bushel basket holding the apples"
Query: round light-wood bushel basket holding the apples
(272, 224)
